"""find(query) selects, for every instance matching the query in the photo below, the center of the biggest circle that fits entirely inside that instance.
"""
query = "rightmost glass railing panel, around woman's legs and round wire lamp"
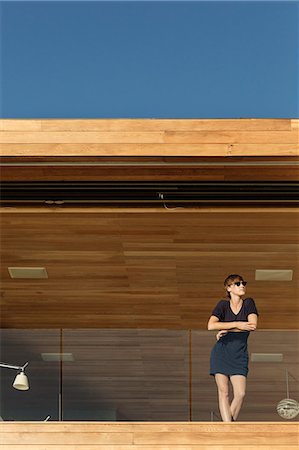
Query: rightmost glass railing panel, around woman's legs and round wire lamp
(273, 358)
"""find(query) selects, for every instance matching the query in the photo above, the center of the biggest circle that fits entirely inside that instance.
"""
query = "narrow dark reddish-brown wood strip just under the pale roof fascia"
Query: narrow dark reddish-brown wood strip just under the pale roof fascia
(117, 168)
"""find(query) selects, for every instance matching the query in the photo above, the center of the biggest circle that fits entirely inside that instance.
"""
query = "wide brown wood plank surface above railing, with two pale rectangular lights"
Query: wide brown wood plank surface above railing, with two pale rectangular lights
(144, 269)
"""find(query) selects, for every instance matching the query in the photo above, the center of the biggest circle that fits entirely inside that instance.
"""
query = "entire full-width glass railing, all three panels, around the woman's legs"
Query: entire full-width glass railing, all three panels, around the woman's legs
(139, 375)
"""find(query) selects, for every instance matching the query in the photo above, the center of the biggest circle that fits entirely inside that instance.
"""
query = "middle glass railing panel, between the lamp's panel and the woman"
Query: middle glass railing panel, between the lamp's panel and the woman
(126, 374)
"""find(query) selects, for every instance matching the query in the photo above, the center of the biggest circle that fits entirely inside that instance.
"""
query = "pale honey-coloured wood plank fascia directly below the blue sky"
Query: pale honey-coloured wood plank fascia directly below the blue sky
(149, 137)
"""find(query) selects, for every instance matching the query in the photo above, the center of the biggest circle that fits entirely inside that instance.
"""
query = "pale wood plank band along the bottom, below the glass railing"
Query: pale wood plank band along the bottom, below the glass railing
(149, 436)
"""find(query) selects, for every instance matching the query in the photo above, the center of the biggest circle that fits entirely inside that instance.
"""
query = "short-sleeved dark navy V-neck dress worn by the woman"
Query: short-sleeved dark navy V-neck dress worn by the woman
(229, 355)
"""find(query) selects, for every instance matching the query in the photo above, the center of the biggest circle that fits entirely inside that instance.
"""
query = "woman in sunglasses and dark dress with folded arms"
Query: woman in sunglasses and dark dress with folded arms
(234, 318)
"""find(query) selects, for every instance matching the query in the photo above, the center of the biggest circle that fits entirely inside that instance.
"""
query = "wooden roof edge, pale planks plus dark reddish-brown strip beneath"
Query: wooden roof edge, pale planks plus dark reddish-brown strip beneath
(149, 149)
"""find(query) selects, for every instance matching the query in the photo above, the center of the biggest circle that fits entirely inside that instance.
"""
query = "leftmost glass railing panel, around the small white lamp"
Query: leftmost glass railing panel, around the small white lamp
(17, 346)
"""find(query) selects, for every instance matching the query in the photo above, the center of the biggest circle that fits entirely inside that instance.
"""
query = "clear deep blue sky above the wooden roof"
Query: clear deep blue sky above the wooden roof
(160, 59)
